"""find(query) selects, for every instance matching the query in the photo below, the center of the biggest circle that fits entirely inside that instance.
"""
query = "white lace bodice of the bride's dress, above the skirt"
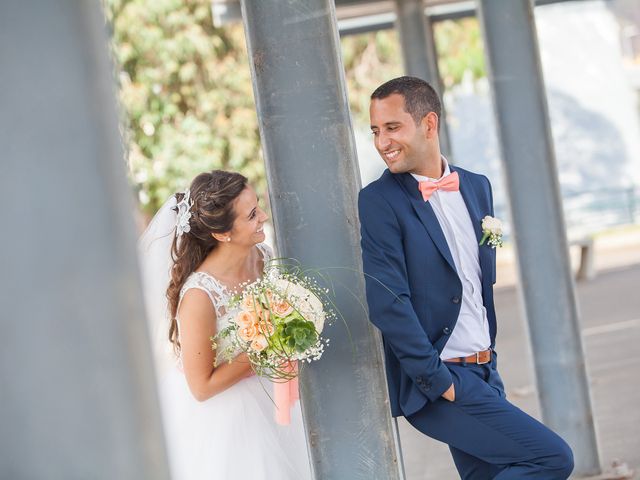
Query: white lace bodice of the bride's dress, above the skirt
(218, 292)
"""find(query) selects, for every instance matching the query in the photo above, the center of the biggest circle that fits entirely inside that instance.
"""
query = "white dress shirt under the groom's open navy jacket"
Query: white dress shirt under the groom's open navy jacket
(471, 333)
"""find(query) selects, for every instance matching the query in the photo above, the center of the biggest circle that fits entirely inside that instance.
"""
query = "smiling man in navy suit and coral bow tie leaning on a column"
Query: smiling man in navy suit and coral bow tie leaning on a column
(430, 292)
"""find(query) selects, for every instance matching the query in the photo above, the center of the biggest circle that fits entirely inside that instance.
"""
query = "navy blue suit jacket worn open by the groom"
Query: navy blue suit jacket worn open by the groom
(413, 290)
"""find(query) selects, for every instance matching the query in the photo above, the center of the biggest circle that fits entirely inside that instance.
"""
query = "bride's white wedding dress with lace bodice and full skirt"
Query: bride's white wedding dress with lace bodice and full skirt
(233, 435)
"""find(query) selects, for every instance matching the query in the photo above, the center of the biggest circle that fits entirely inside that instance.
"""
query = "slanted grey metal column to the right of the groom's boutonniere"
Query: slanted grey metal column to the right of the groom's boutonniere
(536, 207)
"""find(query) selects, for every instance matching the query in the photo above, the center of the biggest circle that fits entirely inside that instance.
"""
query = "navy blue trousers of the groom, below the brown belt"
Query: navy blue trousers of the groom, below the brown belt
(490, 438)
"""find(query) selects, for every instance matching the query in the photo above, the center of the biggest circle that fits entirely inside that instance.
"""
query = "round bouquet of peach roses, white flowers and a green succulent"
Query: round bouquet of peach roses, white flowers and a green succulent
(279, 322)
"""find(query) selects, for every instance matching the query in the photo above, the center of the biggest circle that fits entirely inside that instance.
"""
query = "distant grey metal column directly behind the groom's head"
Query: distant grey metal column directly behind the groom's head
(419, 53)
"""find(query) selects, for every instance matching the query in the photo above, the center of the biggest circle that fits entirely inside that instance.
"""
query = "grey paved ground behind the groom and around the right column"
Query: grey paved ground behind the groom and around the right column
(610, 317)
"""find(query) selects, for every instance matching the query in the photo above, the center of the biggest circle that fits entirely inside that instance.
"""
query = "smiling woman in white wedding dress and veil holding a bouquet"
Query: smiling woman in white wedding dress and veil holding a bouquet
(219, 418)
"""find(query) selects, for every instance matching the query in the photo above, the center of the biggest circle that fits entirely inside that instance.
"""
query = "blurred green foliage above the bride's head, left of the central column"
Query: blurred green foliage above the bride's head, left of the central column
(185, 88)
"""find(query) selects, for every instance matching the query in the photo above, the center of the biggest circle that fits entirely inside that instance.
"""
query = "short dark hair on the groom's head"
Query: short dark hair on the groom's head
(419, 97)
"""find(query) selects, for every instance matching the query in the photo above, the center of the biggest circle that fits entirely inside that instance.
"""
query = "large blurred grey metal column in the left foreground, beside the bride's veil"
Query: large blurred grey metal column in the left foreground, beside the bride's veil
(77, 395)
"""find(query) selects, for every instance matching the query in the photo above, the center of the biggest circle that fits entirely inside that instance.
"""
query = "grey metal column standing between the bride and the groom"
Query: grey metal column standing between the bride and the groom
(308, 142)
